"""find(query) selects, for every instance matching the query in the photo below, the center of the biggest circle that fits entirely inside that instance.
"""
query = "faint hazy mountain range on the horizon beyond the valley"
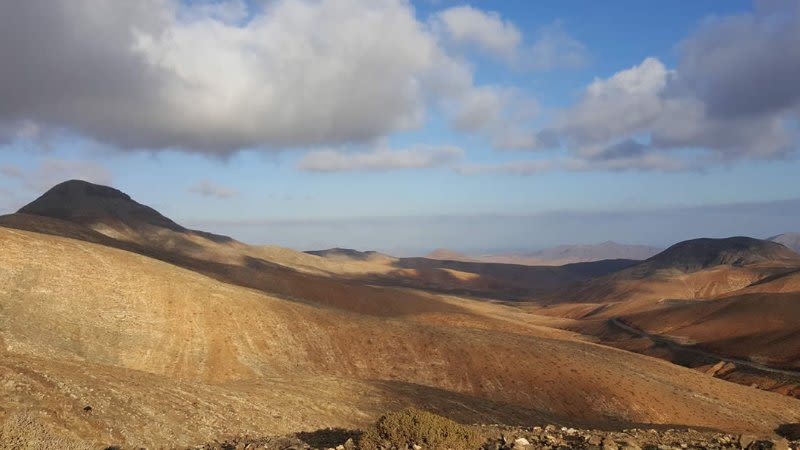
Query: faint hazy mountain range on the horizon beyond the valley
(557, 256)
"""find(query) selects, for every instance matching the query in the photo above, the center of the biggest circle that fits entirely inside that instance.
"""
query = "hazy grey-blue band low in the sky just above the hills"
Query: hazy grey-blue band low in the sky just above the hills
(486, 234)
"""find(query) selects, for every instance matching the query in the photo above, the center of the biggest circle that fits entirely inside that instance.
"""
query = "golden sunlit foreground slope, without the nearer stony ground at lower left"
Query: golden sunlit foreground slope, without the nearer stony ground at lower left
(70, 301)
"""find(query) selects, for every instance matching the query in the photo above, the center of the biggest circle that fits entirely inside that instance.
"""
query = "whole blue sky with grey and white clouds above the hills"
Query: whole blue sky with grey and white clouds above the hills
(404, 126)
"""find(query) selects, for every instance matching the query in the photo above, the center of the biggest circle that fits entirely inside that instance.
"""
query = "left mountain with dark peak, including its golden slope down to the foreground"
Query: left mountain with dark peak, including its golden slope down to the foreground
(114, 331)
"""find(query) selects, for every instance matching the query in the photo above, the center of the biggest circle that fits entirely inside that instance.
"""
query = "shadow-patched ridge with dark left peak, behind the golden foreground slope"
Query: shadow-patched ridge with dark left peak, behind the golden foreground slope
(101, 214)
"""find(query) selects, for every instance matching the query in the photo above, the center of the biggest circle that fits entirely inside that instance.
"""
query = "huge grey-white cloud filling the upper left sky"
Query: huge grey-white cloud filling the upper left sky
(157, 74)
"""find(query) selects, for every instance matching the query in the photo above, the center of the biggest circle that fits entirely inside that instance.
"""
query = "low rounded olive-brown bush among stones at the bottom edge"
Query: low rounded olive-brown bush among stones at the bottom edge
(402, 429)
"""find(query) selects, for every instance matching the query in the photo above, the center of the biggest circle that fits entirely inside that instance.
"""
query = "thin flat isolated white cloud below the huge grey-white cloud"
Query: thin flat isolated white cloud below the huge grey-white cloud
(379, 159)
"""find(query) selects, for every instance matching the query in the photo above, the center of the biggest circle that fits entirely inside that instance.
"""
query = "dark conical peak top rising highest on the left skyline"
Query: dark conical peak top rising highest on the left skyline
(83, 202)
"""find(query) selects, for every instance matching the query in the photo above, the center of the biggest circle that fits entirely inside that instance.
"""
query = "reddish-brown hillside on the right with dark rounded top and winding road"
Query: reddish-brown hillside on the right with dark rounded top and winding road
(730, 301)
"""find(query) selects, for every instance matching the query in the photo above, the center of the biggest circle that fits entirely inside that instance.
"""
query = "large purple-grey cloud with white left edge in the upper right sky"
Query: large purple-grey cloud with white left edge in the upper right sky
(734, 95)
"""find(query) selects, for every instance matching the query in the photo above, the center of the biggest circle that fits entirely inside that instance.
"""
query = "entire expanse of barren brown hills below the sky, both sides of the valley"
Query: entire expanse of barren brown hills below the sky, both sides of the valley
(113, 315)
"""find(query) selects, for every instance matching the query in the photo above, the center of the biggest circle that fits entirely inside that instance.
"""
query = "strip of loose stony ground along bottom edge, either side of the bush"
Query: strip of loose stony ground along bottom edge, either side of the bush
(545, 438)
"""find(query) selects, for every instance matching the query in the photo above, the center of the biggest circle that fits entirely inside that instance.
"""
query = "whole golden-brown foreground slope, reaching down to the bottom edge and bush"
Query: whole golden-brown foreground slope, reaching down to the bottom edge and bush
(149, 342)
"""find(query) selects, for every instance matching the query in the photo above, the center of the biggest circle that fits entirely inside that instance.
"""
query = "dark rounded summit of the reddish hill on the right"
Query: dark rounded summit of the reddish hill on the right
(698, 254)
